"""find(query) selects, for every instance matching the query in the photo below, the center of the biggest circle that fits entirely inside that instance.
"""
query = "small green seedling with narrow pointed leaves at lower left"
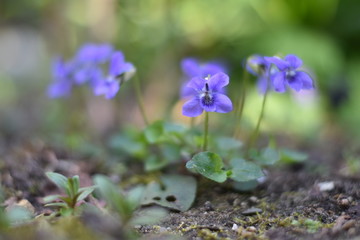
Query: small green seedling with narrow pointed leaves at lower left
(74, 194)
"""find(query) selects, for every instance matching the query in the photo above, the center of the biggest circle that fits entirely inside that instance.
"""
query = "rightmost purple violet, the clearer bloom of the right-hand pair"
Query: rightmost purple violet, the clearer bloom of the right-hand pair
(288, 74)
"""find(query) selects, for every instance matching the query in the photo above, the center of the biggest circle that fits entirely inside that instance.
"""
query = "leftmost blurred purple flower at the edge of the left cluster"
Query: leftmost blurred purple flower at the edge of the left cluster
(61, 85)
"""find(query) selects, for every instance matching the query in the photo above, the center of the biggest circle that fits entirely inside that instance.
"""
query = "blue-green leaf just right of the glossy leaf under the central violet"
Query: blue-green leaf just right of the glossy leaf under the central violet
(243, 170)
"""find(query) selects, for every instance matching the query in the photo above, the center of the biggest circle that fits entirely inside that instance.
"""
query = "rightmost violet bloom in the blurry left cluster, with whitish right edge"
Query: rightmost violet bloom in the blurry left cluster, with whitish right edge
(119, 71)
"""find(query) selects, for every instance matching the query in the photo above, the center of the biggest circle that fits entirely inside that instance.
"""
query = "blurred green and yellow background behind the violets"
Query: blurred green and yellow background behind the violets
(155, 35)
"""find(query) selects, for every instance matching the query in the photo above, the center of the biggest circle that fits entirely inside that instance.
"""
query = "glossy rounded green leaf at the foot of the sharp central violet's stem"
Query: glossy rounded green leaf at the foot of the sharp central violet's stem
(209, 165)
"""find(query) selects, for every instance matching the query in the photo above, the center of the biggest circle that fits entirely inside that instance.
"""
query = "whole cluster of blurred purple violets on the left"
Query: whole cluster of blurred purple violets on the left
(89, 66)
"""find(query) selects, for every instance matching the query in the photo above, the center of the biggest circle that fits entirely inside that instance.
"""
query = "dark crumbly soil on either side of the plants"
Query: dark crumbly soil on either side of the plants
(289, 205)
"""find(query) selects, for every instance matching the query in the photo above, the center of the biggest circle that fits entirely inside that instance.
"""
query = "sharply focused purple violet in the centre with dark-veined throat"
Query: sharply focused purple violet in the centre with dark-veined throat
(208, 96)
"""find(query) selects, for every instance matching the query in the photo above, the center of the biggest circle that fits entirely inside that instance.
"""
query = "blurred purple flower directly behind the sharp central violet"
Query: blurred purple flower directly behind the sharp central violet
(193, 68)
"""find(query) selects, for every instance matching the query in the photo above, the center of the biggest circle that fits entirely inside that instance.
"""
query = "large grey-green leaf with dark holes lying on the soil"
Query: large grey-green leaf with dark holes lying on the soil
(174, 191)
